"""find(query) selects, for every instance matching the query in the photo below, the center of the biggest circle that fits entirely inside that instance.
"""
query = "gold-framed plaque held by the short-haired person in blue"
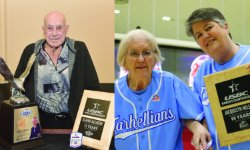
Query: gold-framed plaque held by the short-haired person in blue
(229, 97)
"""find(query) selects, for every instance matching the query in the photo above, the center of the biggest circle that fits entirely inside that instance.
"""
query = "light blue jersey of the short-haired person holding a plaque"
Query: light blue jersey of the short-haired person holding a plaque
(210, 67)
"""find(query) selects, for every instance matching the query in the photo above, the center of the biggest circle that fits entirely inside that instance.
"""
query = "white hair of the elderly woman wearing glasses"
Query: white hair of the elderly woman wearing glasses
(130, 38)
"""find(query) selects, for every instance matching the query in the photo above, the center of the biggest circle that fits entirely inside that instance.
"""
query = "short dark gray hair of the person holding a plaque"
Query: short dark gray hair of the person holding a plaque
(204, 14)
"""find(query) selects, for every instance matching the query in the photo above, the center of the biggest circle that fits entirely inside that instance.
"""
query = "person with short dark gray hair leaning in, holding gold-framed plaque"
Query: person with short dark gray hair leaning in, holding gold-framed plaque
(211, 31)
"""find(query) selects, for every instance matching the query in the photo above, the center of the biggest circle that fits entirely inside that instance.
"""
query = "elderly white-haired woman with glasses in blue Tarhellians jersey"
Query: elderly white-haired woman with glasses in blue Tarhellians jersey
(151, 106)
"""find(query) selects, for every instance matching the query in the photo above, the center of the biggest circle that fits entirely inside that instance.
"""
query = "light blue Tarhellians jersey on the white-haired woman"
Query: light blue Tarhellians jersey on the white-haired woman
(151, 119)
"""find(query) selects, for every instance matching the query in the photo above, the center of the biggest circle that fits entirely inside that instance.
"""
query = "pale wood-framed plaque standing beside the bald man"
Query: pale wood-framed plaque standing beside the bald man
(95, 119)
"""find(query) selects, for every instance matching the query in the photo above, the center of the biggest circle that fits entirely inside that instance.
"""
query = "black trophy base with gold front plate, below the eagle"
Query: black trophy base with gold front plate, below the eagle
(17, 131)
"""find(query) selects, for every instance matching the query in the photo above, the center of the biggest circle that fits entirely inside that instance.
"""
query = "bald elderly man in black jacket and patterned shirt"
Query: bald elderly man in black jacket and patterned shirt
(62, 70)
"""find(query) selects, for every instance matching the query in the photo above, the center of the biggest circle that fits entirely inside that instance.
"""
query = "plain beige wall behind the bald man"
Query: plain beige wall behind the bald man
(91, 21)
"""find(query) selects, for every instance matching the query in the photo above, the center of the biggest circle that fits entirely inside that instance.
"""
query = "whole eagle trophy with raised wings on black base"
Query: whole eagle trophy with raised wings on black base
(19, 118)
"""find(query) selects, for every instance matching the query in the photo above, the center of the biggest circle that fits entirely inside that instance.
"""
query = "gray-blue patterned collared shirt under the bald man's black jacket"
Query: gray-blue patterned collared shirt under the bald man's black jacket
(53, 82)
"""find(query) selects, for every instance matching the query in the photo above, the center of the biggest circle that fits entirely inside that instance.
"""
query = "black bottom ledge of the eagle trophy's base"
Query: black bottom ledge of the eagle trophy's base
(21, 146)
